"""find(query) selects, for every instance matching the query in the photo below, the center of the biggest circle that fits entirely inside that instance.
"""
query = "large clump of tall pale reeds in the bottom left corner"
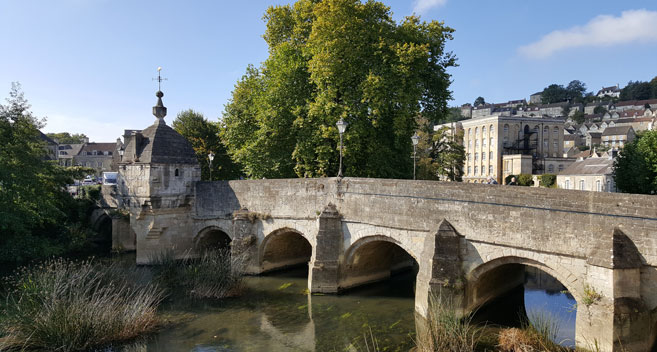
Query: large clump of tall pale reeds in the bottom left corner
(61, 305)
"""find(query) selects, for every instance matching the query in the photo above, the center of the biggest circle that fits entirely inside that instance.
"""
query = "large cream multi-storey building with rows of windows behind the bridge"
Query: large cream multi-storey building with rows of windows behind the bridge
(490, 140)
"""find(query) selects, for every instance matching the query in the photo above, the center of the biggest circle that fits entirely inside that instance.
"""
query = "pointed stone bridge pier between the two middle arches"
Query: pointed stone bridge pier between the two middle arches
(323, 271)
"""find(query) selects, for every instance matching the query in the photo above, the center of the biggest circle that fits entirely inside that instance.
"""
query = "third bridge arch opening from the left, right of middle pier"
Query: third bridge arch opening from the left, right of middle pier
(374, 258)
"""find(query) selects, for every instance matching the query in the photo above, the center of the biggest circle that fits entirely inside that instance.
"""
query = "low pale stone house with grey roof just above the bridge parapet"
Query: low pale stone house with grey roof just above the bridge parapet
(592, 174)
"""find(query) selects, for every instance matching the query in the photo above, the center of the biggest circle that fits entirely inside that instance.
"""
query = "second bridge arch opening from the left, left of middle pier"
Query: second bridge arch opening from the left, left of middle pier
(284, 247)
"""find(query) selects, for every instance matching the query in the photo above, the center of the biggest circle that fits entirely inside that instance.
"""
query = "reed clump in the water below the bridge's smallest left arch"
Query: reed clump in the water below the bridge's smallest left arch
(214, 274)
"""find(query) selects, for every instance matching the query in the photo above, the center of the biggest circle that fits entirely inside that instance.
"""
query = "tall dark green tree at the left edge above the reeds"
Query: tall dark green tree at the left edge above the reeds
(36, 212)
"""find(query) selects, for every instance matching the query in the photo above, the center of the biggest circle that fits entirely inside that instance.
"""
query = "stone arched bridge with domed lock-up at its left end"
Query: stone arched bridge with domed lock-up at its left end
(469, 242)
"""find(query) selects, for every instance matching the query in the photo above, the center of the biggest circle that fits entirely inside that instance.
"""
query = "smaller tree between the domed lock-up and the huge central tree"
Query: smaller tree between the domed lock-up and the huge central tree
(204, 137)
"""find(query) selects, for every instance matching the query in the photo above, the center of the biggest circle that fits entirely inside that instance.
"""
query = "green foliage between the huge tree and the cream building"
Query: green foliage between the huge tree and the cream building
(440, 155)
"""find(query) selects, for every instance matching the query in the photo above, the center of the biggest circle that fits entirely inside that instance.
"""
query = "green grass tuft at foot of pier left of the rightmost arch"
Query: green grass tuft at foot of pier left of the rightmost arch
(446, 330)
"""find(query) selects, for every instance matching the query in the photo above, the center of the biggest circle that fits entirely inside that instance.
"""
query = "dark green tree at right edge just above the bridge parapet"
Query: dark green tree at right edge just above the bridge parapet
(635, 169)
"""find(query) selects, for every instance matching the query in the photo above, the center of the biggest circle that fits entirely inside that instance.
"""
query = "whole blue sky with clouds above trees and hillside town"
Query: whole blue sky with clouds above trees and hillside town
(87, 65)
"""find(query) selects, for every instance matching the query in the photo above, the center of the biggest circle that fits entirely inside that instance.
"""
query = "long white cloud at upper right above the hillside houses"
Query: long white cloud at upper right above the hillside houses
(602, 31)
